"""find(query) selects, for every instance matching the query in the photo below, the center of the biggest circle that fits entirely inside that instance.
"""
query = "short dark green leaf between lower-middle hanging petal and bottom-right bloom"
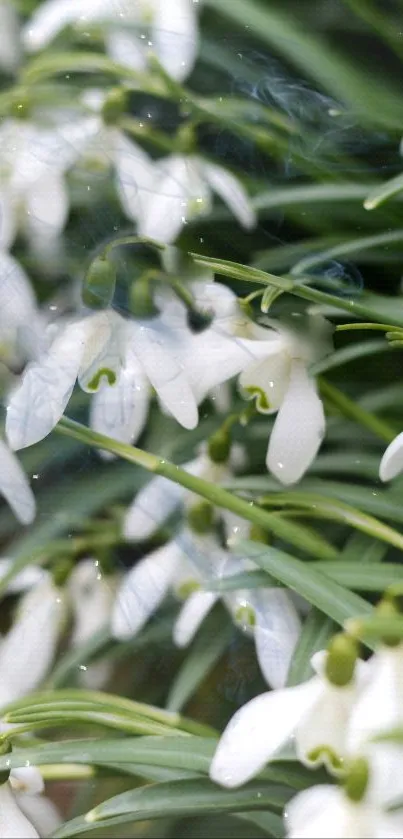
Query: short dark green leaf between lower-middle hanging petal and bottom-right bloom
(316, 632)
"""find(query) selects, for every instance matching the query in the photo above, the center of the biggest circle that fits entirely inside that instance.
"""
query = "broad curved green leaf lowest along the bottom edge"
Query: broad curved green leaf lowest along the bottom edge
(177, 798)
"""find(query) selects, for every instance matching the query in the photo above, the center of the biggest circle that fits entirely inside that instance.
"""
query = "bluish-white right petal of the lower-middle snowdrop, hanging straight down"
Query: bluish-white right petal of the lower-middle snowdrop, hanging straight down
(276, 631)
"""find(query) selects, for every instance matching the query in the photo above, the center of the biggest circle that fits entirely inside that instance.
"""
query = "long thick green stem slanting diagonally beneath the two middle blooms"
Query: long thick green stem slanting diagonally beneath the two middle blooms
(218, 496)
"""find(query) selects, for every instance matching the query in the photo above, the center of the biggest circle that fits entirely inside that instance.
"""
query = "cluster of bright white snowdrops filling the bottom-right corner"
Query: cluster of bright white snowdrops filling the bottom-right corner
(339, 718)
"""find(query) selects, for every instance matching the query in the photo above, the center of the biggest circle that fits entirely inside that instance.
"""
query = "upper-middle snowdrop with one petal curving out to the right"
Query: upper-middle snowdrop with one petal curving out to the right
(180, 191)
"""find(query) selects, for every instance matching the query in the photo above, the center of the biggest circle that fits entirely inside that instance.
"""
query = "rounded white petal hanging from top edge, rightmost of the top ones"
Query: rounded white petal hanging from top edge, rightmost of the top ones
(175, 37)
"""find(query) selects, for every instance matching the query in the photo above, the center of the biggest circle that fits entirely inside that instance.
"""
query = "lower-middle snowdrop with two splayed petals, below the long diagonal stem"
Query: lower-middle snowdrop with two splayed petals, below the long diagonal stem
(267, 615)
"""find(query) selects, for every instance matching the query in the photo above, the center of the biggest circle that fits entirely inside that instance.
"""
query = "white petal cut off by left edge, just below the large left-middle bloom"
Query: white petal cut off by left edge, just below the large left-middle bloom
(14, 486)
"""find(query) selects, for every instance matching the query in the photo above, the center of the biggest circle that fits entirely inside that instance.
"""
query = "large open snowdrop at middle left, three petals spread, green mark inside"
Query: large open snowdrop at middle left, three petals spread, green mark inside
(102, 350)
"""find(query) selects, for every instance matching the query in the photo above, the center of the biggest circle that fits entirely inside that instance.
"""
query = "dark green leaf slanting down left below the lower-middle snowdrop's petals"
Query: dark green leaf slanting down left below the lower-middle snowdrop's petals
(210, 643)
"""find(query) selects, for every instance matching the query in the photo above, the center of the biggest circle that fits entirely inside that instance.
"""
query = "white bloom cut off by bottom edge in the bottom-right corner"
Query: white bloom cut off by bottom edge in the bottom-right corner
(326, 812)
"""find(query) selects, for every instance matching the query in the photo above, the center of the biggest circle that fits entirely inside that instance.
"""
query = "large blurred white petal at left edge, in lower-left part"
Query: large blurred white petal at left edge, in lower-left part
(27, 651)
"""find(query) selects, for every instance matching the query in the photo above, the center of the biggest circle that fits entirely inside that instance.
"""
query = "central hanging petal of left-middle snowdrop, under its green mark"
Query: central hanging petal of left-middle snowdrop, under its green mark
(121, 411)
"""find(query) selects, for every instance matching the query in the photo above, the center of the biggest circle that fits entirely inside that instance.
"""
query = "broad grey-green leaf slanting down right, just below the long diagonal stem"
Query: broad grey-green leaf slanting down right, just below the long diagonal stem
(327, 595)
